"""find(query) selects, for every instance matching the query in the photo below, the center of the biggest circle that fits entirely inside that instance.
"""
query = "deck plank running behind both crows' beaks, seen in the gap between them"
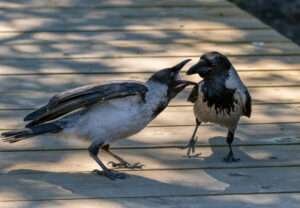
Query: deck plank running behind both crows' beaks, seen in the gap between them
(56, 83)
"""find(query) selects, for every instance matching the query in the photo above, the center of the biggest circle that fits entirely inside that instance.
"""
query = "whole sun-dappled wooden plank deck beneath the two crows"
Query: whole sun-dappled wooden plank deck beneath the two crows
(50, 45)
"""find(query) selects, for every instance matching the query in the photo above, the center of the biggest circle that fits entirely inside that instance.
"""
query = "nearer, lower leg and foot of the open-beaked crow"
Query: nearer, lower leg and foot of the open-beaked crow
(94, 150)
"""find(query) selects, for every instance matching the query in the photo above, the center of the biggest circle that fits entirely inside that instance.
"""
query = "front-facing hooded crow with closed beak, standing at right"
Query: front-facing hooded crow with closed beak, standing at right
(220, 98)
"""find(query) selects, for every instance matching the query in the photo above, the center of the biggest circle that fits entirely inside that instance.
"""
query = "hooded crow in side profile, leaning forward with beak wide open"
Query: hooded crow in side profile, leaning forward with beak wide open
(104, 113)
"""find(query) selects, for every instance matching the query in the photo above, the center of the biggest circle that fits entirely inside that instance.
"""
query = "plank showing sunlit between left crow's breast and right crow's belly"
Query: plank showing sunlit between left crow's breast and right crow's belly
(178, 116)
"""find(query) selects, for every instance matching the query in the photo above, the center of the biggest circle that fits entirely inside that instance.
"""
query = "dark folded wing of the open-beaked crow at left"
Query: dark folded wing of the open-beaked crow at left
(74, 99)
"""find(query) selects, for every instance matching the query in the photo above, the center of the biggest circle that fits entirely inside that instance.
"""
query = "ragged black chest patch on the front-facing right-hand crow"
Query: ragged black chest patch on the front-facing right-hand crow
(216, 95)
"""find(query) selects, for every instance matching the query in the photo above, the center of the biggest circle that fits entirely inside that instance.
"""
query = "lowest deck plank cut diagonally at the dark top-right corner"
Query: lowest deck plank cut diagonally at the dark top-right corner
(257, 36)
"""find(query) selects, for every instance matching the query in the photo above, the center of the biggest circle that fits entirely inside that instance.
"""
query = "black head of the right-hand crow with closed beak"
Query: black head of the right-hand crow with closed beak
(210, 64)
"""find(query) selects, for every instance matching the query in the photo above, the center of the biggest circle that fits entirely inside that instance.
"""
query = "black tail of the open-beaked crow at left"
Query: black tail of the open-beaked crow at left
(15, 136)
